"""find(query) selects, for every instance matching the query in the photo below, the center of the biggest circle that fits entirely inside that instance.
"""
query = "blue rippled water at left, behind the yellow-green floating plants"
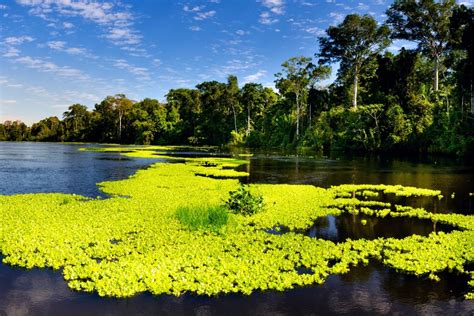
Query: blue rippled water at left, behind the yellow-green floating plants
(40, 167)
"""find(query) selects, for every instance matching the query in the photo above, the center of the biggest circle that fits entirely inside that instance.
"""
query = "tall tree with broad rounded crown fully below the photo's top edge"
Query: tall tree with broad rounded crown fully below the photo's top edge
(354, 43)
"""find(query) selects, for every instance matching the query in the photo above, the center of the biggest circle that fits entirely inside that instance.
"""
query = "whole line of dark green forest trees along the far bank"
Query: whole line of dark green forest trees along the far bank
(415, 100)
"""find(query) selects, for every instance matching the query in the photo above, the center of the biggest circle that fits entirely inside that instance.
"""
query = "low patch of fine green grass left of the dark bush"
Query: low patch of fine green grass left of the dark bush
(202, 217)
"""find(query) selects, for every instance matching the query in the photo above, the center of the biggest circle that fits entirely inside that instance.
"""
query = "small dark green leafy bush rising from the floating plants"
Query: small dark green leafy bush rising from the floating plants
(242, 201)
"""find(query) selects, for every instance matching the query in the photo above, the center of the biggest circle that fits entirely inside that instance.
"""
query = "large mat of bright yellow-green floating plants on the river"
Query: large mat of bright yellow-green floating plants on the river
(124, 246)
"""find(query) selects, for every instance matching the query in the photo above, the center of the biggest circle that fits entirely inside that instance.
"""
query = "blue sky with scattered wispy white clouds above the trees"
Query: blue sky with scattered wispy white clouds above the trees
(54, 53)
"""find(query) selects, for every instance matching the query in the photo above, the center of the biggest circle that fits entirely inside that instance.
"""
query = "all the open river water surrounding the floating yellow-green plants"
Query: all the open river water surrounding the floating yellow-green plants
(374, 289)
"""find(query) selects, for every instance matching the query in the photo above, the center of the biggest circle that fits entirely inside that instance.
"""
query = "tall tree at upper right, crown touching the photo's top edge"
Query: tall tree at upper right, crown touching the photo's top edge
(425, 22)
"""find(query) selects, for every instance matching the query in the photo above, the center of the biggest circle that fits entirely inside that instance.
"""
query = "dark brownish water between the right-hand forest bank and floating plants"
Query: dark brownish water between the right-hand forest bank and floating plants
(450, 175)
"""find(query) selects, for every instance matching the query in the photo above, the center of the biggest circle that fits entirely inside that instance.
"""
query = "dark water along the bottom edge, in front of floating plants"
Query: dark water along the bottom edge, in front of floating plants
(372, 290)
